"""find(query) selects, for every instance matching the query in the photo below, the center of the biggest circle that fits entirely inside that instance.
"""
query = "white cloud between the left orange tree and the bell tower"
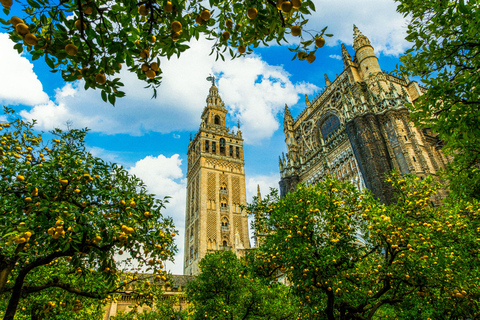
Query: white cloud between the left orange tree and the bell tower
(164, 177)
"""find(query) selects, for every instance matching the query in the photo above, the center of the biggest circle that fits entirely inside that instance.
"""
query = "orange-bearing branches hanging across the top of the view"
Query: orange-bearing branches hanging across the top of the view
(92, 39)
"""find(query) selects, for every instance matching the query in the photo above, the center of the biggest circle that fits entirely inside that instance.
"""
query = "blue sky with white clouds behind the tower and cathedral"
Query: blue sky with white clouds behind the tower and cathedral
(150, 137)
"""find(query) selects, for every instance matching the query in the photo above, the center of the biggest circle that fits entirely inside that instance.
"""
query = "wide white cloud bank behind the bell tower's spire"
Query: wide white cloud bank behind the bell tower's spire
(255, 90)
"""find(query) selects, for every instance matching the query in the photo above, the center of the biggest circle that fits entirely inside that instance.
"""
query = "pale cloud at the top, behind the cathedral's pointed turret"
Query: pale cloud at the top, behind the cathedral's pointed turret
(376, 19)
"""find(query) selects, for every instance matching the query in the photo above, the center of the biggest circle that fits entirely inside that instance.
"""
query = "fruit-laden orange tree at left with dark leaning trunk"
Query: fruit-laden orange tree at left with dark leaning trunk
(64, 214)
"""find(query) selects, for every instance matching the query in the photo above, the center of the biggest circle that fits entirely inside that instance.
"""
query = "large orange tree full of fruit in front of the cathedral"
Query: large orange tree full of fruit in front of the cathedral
(350, 257)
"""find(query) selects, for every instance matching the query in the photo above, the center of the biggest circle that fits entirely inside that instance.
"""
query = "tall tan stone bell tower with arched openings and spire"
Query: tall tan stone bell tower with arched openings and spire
(215, 188)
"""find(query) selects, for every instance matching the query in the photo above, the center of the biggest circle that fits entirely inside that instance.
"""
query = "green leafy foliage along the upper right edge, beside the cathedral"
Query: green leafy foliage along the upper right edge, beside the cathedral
(445, 54)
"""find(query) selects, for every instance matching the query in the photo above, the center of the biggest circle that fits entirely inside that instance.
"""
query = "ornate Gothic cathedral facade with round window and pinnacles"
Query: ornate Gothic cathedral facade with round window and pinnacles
(358, 129)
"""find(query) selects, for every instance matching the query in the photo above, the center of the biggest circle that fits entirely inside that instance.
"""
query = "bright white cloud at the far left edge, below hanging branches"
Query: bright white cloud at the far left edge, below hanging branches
(18, 83)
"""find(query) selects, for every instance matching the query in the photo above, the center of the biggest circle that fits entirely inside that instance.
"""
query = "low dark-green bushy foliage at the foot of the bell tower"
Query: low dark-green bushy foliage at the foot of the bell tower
(225, 290)
